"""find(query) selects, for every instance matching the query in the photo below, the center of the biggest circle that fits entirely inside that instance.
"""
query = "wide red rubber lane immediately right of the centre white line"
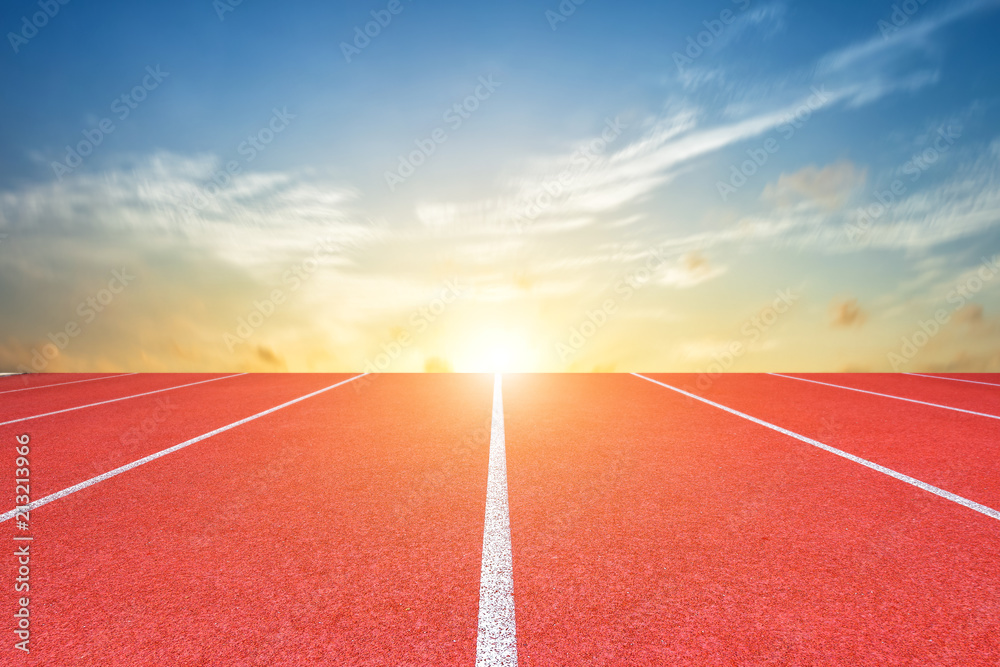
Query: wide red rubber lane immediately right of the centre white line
(650, 529)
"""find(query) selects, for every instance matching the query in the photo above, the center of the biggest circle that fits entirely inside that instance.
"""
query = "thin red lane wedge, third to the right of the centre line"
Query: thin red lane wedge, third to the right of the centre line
(963, 395)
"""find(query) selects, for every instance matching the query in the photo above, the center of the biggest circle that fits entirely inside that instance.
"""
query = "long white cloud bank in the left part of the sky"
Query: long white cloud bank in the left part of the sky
(258, 215)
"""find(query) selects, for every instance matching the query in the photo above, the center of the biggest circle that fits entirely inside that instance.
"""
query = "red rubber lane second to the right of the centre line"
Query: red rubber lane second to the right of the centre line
(954, 451)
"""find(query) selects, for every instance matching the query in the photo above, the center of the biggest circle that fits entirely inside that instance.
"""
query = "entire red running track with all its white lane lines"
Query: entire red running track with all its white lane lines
(529, 519)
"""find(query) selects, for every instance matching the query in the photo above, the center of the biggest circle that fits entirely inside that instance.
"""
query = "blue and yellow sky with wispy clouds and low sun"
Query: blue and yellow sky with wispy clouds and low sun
(405, 185)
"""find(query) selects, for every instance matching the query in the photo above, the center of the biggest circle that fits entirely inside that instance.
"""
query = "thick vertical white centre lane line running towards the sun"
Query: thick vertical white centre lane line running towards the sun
(497, 642)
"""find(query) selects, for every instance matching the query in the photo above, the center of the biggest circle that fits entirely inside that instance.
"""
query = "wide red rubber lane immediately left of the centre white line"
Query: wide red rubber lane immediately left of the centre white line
(345, 529)
